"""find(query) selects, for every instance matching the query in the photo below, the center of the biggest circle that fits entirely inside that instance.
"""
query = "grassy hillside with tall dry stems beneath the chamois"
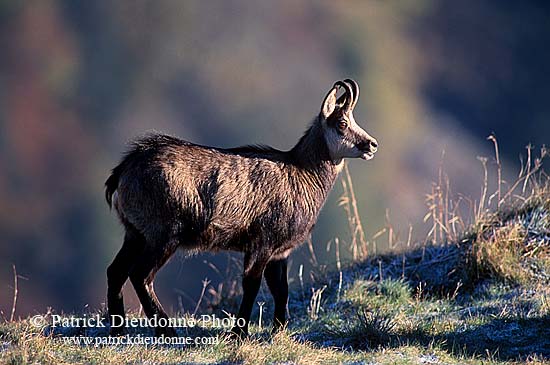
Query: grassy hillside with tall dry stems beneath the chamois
(469, 294)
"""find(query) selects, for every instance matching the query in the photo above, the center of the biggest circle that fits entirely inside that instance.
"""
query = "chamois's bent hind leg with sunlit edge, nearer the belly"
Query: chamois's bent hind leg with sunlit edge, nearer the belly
(142, 276)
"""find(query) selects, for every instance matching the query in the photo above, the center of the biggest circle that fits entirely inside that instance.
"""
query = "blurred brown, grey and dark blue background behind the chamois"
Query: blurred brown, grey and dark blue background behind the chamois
(78, 79)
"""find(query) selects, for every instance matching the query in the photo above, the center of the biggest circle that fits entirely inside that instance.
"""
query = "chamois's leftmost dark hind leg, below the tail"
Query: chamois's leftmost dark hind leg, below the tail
(117, 274)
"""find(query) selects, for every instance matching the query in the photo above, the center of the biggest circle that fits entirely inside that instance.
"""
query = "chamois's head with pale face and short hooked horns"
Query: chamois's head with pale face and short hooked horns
(344, 137)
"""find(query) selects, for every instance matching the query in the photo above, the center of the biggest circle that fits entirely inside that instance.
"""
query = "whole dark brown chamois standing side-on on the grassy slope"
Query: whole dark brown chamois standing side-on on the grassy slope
(170, 194)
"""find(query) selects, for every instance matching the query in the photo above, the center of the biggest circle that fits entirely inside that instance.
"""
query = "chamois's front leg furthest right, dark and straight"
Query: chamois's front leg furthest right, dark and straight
(276, 278)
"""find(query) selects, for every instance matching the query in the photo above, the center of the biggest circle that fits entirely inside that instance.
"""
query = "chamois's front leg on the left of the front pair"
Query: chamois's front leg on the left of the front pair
(252, 279)
